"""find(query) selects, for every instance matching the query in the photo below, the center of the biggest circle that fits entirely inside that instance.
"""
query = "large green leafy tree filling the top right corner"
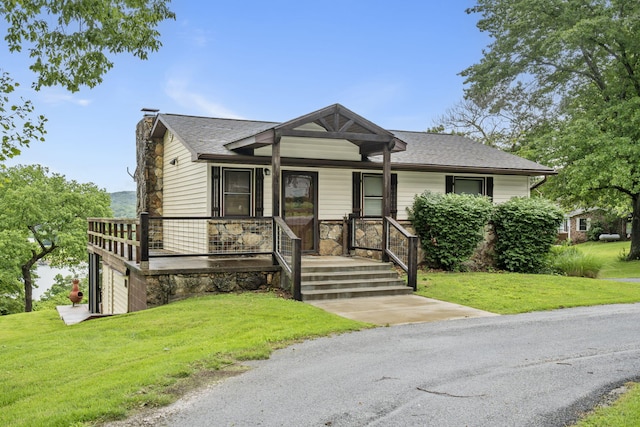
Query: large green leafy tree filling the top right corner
(583, 56)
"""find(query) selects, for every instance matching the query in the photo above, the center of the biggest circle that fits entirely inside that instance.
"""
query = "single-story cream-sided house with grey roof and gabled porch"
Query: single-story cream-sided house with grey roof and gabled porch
(330, 181)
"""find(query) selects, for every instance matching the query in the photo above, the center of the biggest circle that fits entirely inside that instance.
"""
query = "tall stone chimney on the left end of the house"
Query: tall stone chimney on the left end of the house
(149, 170)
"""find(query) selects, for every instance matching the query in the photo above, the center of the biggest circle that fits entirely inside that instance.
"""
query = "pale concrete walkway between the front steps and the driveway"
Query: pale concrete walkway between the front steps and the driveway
(397, 310)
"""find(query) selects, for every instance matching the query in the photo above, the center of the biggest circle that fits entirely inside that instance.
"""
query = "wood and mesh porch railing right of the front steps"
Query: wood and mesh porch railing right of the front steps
(401, 246)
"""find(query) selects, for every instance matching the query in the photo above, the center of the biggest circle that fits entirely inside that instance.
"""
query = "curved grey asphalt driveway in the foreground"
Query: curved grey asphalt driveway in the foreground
(536, 369)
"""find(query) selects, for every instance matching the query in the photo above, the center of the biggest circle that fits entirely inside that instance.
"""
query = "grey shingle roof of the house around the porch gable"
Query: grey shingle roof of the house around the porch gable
(232, 140)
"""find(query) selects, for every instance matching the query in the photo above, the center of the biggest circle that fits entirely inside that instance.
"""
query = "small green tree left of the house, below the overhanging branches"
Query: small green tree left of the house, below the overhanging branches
(43, 217)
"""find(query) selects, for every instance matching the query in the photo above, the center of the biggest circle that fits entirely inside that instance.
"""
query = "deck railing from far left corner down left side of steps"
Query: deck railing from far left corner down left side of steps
(153, 237)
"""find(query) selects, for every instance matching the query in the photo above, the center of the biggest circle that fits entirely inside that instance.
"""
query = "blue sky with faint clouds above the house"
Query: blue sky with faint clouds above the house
(395, 63)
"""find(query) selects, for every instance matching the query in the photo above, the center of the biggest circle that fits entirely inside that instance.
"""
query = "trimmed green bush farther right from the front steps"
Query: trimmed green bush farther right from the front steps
(525, 230)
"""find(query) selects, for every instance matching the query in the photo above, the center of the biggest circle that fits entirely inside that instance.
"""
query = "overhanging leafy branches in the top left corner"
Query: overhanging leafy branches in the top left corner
(70, 44)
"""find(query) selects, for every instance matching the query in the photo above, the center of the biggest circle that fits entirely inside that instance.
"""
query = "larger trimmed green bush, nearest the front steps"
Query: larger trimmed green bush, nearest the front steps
(450, 226)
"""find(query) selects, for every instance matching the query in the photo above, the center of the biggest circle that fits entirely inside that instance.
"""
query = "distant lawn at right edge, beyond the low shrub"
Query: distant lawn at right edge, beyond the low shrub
(609, 253)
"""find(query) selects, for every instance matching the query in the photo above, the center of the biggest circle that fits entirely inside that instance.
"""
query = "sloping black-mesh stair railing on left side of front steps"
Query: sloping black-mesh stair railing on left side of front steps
(287, 251)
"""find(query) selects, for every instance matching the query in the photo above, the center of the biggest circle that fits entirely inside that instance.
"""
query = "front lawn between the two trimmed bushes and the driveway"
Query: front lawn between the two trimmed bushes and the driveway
(510, 293)
